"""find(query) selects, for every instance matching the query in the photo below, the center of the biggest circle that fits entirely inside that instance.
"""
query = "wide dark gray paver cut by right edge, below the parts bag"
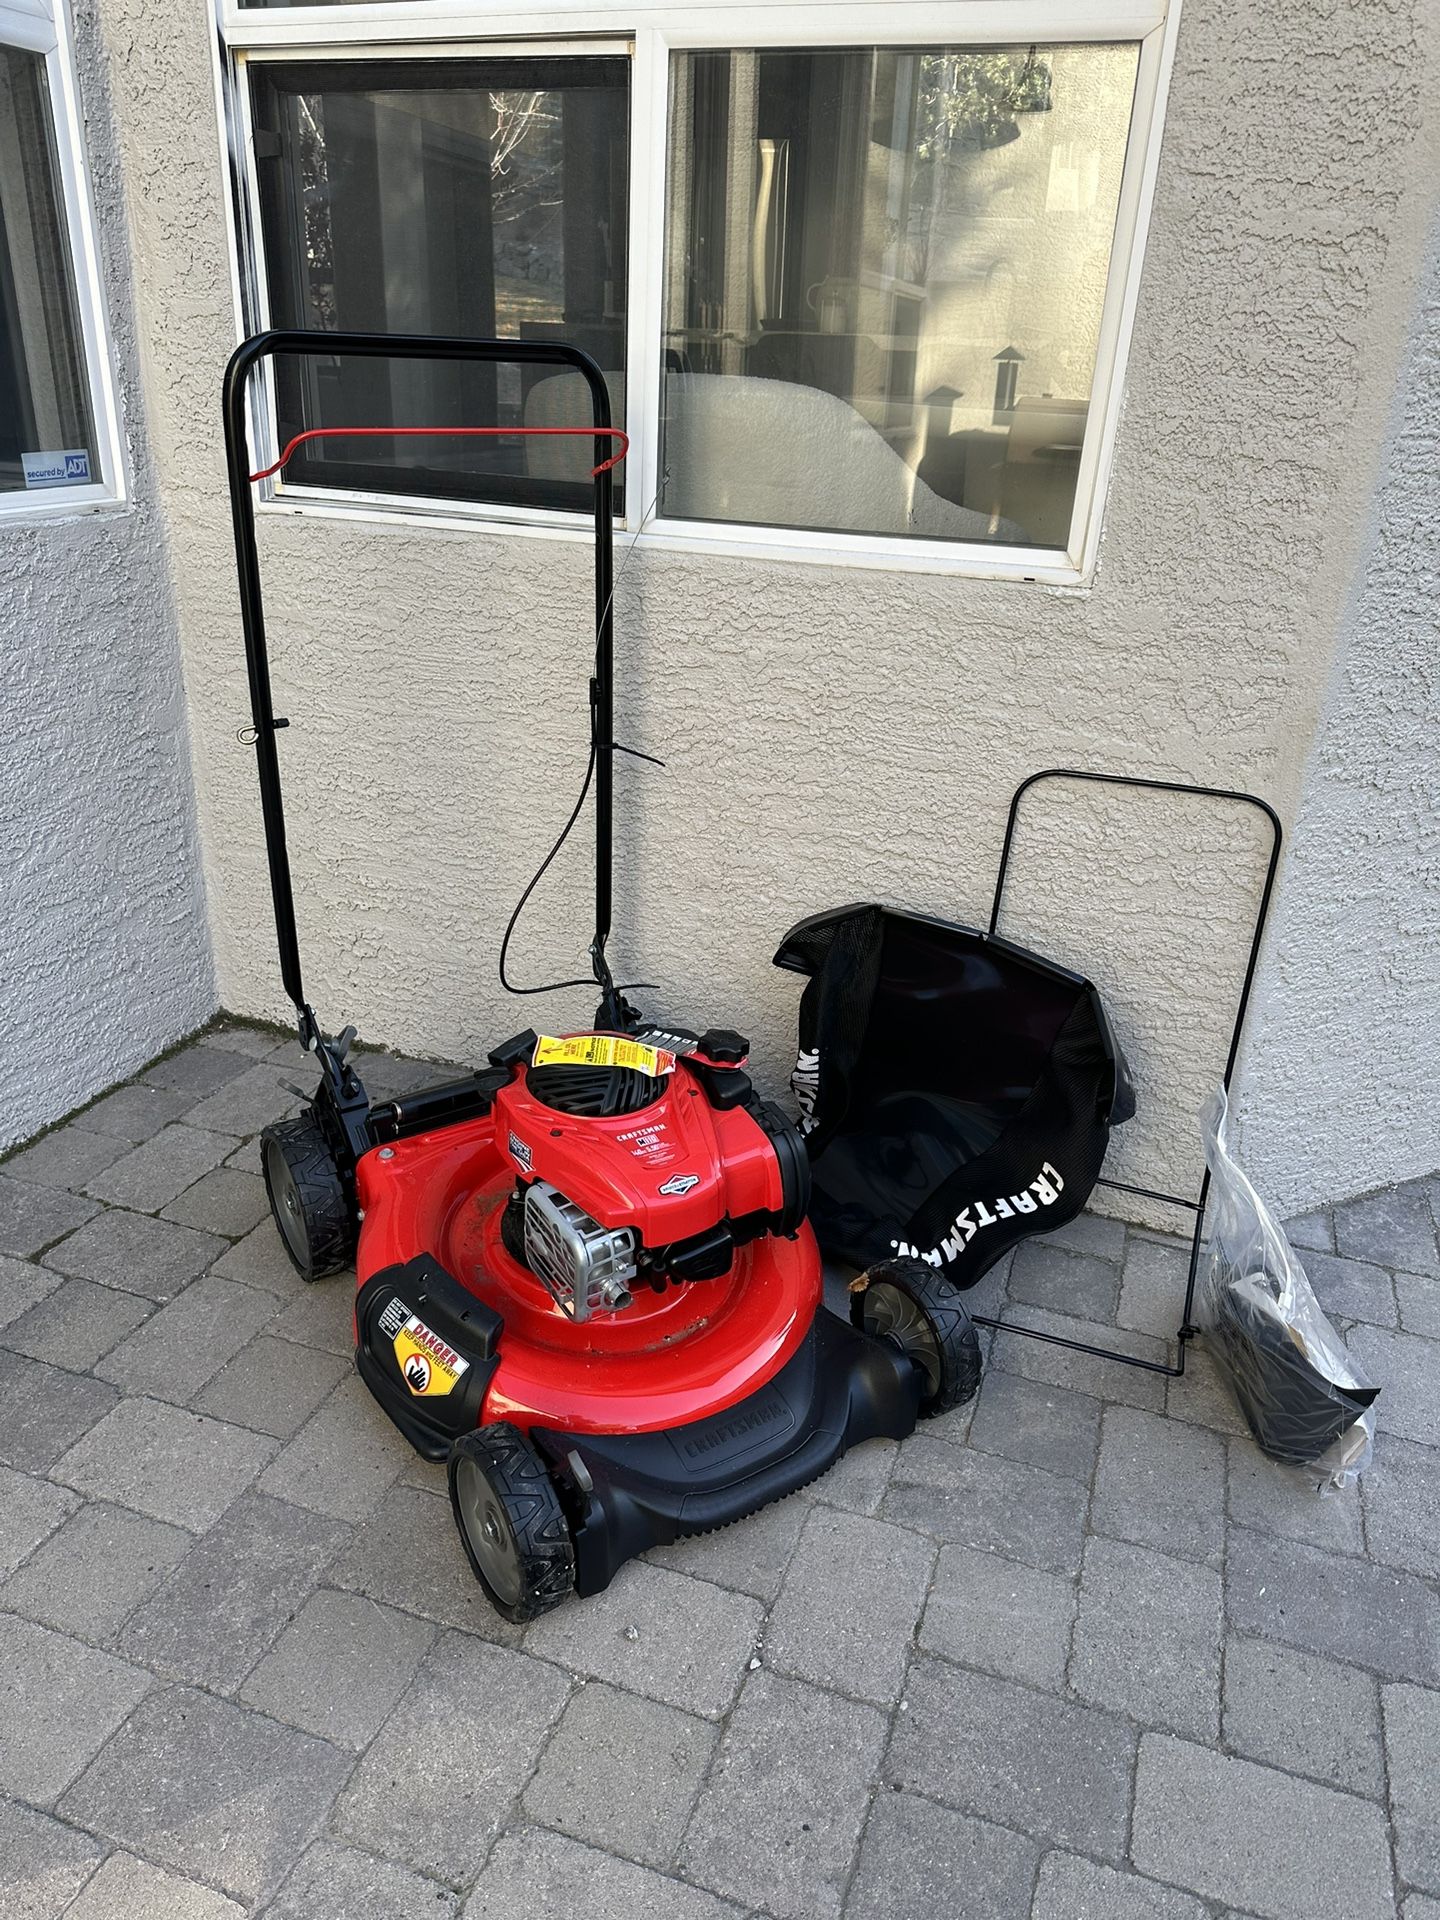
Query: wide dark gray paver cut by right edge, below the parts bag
(1326, 1604)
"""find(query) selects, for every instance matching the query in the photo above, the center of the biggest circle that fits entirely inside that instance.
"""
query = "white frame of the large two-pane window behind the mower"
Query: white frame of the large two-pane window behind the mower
(652, 34)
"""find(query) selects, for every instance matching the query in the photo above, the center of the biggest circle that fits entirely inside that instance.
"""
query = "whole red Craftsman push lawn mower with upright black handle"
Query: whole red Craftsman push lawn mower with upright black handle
(587, 1276)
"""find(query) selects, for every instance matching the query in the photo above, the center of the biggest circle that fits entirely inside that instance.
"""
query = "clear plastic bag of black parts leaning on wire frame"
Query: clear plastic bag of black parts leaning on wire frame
(1303, 1395)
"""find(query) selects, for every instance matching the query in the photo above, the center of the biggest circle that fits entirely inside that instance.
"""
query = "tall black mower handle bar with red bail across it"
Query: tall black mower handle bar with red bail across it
(314, 345)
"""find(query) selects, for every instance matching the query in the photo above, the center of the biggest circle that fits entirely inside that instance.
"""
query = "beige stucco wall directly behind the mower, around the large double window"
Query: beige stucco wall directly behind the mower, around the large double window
(836, 732)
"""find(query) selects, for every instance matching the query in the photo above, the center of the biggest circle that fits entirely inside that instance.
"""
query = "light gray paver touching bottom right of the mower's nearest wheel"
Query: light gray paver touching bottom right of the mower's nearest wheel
(698, 1669)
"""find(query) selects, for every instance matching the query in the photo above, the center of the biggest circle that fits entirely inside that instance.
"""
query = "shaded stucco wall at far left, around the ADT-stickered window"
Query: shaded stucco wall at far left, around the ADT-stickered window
(105, 953)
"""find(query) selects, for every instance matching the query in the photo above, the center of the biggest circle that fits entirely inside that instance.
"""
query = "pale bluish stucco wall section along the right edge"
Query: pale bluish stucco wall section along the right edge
(1347, 1032)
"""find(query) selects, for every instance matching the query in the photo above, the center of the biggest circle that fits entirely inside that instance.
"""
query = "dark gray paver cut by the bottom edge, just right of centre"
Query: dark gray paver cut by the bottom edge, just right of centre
(926, 1860)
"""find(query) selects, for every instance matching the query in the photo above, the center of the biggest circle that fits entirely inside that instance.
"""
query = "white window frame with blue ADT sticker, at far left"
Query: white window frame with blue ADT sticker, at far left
(45, 28)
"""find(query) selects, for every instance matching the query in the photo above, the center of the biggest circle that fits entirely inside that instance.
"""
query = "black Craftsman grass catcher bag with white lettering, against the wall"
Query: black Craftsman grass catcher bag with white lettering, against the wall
(957, 1092)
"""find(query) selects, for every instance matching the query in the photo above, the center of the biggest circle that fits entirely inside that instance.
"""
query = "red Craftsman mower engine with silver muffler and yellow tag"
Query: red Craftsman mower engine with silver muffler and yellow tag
(640, 1164)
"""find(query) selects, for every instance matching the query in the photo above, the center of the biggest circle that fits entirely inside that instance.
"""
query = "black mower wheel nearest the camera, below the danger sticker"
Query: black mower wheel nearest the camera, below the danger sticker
(512, 1522)
